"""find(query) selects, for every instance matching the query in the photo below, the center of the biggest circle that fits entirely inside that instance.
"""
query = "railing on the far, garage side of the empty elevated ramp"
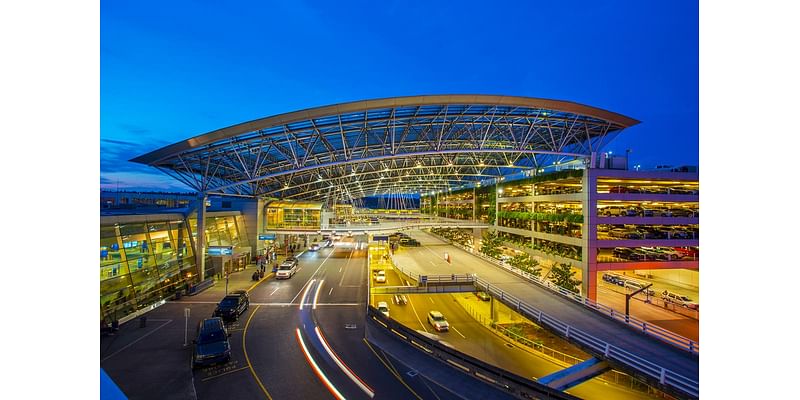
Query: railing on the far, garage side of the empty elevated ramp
(656, 331)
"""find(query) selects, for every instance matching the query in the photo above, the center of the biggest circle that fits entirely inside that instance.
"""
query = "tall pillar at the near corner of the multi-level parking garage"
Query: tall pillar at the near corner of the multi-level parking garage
(589, 233)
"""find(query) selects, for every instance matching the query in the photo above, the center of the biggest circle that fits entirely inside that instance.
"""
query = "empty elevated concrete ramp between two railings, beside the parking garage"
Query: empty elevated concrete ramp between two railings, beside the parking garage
(428, 260)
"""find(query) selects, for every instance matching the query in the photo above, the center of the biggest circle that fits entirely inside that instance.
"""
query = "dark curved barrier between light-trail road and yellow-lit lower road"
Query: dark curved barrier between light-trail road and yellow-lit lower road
(506, 381)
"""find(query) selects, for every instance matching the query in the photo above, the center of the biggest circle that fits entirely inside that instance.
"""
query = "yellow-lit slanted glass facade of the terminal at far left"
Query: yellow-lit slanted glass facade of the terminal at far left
(144, 262)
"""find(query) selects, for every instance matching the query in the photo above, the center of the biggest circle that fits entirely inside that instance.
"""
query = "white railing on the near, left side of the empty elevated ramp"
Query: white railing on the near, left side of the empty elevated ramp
(654, 372)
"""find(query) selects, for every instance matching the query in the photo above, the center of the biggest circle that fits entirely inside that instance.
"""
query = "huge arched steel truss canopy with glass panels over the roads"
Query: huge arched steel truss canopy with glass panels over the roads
(396, 145)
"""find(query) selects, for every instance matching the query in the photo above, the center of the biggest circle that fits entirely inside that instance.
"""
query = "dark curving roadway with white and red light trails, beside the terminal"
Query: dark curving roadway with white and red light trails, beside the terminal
(268, 360)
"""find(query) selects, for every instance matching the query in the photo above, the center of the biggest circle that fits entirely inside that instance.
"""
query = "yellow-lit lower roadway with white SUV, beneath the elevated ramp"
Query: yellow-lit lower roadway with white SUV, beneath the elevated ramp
(471, 337)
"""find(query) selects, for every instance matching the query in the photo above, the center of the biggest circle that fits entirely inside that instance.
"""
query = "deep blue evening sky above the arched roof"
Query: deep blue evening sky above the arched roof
(171, 70)
